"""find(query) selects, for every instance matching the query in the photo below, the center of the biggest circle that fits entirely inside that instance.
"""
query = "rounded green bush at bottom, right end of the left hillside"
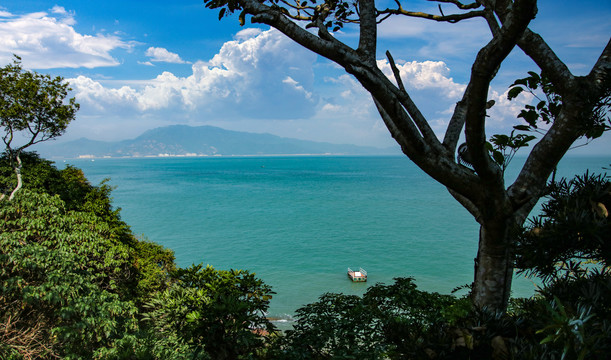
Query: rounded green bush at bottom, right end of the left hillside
(215, 313)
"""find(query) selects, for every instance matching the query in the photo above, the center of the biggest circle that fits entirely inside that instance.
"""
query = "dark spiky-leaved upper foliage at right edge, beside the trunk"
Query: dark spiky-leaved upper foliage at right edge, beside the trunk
(572, 230)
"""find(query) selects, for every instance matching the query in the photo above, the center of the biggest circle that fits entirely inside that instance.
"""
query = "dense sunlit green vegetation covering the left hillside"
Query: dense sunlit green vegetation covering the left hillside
(75, 283)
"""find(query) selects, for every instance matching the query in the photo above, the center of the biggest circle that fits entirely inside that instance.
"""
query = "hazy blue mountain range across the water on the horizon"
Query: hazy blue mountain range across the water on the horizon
(181, 140)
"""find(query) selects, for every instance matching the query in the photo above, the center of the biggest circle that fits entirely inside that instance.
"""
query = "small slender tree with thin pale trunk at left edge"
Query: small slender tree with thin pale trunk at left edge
(32, 110)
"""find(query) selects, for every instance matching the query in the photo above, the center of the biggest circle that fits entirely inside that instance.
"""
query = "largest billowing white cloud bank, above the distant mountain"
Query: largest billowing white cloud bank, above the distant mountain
(261, 74)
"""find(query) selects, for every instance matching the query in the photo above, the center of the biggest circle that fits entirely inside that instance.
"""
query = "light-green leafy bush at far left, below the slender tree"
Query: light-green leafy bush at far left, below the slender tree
(59, 270)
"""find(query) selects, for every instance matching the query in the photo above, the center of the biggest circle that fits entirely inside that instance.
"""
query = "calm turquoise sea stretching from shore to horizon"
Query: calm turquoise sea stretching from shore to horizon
(299, 222)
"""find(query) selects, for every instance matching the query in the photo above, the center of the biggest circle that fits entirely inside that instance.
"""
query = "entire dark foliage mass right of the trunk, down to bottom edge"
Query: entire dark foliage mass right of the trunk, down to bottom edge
(567, 247)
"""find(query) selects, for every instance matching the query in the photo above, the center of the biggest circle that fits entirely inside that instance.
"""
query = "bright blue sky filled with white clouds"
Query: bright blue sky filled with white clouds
(136, 65)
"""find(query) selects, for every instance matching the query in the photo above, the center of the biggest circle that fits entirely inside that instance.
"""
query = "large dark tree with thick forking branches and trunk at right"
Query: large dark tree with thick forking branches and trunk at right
(498, 208)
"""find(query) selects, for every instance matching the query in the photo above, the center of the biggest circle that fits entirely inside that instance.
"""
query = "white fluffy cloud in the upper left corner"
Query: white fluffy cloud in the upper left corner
(49, 41)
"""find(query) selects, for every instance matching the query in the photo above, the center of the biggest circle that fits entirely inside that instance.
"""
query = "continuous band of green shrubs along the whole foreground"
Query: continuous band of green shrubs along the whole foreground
(75, 283)
